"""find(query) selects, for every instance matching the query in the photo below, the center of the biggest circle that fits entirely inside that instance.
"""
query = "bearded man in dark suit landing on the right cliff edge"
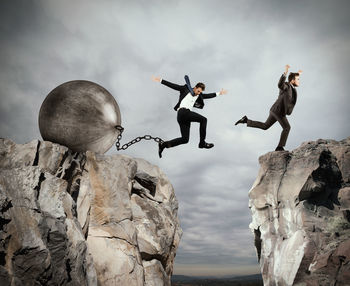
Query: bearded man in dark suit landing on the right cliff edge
(283, 106)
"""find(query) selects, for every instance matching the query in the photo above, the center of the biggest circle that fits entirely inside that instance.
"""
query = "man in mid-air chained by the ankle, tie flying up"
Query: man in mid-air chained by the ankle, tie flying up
(188, 99)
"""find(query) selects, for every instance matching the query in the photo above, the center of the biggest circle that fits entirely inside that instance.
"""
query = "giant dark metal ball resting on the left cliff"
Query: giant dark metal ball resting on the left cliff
(81, 115)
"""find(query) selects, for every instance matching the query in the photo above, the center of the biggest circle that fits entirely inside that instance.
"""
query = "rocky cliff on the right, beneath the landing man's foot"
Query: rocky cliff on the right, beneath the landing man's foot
(300, 204)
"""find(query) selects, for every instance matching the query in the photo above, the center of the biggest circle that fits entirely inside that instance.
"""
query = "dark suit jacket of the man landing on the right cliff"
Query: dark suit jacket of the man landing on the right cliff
(286, 100)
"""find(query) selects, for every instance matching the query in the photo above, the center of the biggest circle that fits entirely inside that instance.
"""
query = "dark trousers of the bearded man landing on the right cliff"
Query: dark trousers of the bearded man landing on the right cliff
(269, 122)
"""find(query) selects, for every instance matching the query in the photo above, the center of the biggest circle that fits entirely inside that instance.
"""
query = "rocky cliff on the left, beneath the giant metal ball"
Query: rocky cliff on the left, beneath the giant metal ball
(84, 219)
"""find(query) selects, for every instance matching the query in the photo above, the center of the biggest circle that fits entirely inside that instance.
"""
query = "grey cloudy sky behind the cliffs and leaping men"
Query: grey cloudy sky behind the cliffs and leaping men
(240, 45)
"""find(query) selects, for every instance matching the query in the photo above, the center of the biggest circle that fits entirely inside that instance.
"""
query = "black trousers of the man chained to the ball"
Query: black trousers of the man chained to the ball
(184, 118)
